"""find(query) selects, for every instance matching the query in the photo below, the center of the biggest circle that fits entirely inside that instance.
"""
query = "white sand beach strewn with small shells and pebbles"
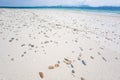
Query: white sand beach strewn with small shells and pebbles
(32, 40)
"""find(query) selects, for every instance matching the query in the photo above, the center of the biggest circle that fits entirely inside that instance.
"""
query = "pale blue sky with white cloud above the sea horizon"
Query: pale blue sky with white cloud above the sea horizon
(59, 2)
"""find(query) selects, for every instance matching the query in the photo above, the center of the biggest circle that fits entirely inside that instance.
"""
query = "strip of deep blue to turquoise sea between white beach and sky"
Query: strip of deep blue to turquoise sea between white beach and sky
(115, 10)
